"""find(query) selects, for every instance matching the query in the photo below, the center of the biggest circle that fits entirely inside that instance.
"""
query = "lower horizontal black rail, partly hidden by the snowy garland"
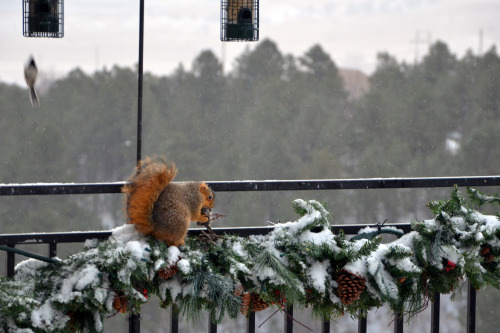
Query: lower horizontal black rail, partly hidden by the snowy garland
(82, 236)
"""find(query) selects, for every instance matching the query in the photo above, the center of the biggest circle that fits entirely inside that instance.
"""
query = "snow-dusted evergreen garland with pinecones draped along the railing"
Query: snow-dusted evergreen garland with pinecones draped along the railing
(300, 262)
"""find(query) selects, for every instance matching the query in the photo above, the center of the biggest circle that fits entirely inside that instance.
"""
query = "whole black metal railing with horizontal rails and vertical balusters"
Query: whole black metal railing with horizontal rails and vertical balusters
(53, 239)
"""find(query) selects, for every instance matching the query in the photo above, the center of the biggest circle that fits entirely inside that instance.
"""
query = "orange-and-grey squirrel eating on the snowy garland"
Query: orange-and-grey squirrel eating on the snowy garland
(164, 209)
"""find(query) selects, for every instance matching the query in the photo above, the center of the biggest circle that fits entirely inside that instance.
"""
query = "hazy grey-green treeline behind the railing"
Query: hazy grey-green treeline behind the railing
(275, 116)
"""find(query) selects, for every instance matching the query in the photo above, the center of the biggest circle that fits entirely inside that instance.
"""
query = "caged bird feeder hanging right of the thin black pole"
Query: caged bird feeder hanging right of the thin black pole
(239, 20)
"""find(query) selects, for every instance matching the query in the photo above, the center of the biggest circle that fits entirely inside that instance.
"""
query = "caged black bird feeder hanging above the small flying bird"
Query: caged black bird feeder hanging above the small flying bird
(43, 18)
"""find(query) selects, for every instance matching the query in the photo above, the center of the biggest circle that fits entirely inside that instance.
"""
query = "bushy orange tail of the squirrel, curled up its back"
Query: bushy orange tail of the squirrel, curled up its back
(143, 189)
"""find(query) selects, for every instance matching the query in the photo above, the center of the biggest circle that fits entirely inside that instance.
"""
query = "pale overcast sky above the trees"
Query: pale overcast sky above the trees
(101, 33)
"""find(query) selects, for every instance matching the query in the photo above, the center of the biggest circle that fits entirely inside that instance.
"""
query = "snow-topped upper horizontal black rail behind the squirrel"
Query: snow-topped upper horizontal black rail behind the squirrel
(260, 185)
